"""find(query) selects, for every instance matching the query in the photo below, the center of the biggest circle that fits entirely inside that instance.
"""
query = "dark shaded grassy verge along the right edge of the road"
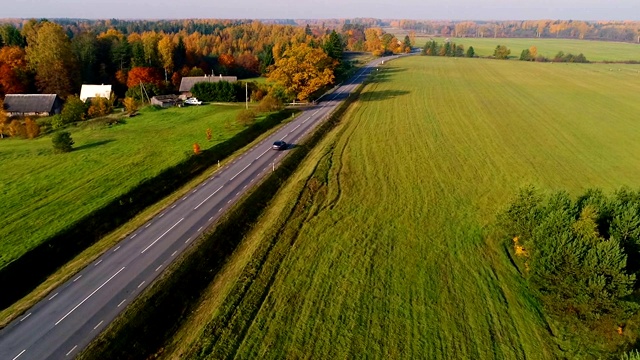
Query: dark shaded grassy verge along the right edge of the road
(142, 330)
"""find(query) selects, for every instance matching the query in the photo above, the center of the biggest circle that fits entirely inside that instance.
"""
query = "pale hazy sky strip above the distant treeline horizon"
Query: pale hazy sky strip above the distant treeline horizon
(324, 9)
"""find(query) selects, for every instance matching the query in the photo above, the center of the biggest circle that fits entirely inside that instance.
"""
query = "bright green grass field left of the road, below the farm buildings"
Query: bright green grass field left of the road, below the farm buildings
(43, 192)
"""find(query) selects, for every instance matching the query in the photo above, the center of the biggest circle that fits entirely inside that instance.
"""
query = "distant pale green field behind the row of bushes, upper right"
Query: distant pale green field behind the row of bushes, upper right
(594, 50)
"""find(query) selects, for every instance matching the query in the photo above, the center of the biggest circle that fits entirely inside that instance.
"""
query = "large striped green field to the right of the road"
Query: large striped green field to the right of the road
(380, 246)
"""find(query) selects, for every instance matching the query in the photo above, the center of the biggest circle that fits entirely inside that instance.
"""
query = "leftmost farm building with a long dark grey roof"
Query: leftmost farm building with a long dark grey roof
(32, 104)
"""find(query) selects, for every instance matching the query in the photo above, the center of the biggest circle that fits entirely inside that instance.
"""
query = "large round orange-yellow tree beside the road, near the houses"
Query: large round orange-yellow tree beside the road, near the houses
(303, 70)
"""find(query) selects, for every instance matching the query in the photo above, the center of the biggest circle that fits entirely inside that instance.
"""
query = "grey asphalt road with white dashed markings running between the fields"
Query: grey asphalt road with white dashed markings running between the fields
(63, 323)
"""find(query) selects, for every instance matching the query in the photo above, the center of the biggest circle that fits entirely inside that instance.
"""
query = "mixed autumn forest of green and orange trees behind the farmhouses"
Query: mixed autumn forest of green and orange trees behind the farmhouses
(58, 56)
